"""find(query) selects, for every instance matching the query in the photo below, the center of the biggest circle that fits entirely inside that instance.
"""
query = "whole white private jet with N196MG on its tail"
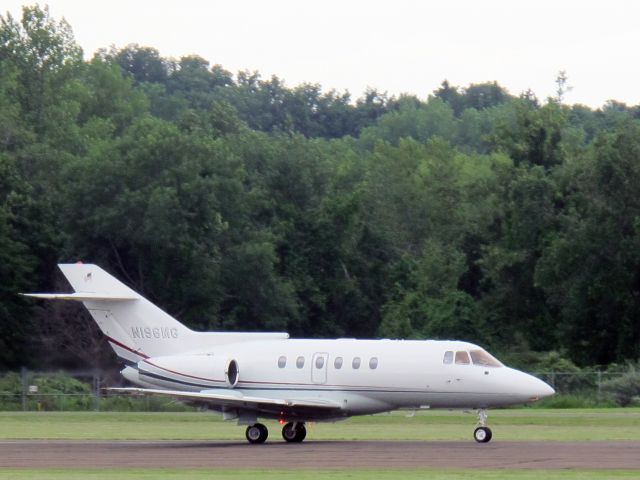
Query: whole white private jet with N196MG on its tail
(250, 375)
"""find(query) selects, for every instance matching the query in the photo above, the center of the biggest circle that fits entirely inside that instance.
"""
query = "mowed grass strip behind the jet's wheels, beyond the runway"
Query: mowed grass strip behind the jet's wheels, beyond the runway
(514, 424)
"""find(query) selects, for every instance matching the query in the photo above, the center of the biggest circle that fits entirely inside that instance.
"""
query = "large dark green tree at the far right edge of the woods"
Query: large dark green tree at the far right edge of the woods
(590, 268)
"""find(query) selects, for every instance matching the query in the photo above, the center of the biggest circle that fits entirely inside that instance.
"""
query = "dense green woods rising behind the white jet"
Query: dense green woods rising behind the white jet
(239, 203)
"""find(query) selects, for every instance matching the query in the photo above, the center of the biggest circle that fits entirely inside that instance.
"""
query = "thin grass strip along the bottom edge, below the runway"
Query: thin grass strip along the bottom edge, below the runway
(125, 474)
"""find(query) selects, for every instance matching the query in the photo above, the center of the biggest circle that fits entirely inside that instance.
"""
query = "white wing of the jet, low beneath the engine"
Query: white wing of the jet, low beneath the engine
(234, 398)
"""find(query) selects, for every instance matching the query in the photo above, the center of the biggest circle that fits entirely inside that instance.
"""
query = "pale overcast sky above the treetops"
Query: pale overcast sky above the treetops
(397, 46)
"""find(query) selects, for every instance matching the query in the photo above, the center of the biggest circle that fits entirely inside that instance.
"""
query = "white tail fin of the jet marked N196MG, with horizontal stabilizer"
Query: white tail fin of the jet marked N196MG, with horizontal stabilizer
(135, 327)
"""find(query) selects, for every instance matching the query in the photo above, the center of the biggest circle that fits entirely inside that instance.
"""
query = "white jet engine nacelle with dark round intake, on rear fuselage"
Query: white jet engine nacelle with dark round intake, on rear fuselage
(205, 369)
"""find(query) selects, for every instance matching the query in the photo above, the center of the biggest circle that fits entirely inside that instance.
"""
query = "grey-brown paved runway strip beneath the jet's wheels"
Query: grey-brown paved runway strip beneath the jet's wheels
(319, 455)
